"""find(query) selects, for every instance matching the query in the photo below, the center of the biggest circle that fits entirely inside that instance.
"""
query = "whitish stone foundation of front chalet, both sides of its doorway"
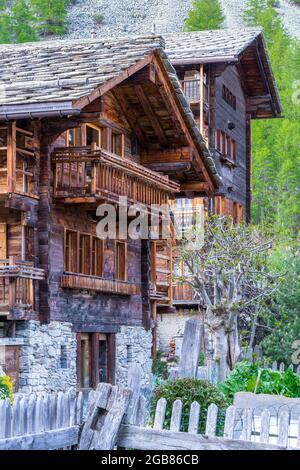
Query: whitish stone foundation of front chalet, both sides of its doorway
(48, 356)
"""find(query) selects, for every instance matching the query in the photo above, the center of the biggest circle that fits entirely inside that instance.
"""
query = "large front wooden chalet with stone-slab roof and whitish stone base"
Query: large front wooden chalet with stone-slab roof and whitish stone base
(84, 122)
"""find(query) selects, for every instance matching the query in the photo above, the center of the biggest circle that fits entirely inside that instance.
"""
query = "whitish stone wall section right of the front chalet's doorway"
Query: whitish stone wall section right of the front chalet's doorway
(133, 344)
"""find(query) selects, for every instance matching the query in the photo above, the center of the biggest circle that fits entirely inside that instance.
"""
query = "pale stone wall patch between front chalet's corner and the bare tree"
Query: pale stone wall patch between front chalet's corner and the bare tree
(170, 325)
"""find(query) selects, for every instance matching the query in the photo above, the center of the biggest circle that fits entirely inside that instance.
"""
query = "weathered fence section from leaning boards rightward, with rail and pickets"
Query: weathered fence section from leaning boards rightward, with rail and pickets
(107, 426)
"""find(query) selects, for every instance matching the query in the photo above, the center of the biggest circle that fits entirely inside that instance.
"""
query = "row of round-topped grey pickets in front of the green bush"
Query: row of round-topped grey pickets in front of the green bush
(261, 428)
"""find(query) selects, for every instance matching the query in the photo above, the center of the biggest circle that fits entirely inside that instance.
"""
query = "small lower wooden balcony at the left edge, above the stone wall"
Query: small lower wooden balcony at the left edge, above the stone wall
(17, 283)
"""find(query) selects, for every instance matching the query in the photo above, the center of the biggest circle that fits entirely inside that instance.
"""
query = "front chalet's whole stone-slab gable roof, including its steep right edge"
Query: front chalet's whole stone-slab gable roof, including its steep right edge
(53, 78)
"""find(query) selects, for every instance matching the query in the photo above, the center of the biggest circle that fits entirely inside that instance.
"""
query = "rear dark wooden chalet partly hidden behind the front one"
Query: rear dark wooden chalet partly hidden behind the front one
(227, 79)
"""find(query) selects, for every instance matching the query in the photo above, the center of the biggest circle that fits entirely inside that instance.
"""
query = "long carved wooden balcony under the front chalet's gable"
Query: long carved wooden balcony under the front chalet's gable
(83, 174)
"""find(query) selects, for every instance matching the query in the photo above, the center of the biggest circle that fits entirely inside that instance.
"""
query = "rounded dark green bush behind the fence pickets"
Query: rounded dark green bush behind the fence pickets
(188, 391)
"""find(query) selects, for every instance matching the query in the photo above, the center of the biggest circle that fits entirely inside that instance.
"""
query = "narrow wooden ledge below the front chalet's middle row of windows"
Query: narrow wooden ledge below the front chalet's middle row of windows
(98, 284)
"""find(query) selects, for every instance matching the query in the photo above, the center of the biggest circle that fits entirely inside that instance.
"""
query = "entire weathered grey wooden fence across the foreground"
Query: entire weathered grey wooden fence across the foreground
(117, 416)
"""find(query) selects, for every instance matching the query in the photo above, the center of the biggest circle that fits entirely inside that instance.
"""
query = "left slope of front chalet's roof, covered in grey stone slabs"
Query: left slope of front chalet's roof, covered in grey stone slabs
(52, 71)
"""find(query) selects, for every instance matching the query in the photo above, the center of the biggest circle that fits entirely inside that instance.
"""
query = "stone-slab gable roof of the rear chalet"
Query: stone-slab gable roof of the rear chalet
(229, 46)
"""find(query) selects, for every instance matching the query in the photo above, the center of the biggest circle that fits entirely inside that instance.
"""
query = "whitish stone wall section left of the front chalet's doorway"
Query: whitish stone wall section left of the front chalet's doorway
(47, 357)
